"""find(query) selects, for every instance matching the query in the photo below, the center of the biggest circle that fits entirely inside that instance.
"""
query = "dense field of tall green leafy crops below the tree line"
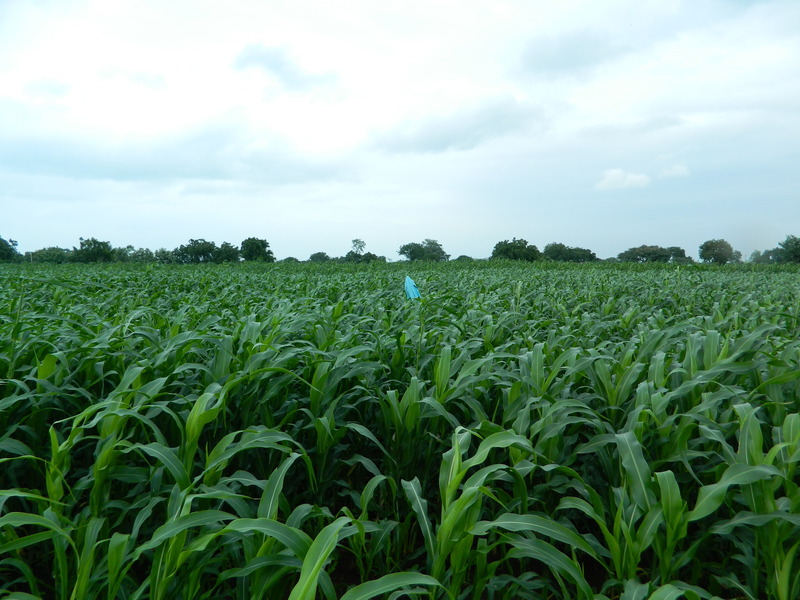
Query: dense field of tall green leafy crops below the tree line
(277, 431)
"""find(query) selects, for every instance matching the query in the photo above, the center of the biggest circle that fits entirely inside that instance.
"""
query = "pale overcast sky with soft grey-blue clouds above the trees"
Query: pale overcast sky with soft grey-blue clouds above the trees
(309, 123)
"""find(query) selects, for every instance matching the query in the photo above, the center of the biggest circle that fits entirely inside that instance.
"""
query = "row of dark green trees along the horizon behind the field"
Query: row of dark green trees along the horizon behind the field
(196, 251)
